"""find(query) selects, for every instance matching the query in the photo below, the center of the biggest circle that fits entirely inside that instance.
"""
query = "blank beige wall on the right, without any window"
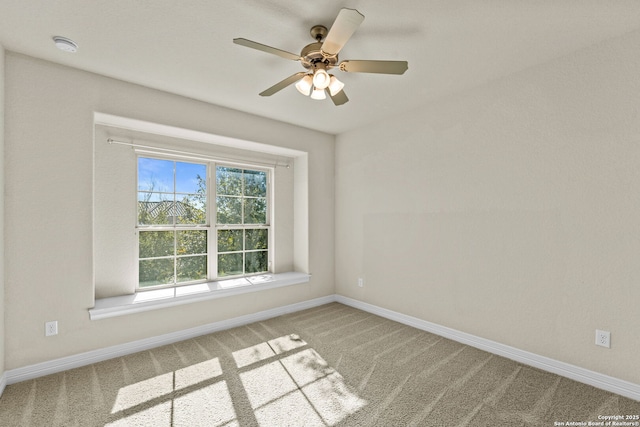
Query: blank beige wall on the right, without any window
(511, 212)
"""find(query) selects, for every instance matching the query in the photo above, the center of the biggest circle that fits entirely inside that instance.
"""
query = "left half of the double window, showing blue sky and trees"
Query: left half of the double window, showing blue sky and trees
(172, 200)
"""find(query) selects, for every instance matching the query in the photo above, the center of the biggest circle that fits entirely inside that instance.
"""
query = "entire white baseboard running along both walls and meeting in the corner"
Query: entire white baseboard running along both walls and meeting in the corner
(605, 382)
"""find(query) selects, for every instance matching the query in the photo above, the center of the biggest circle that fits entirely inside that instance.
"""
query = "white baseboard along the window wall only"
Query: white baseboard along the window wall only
(13, 376)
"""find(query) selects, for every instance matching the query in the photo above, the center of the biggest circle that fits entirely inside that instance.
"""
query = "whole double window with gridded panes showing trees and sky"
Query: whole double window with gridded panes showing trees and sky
(177, 243)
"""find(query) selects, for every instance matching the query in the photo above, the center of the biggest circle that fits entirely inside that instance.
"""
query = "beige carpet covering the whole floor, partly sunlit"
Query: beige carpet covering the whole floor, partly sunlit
(328, 366)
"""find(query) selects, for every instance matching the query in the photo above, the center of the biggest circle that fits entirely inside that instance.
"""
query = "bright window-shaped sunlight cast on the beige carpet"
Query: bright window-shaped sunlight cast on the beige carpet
(284, 382)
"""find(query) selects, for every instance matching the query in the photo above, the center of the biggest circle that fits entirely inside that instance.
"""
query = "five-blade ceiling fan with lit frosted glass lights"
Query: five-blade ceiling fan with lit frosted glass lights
(322, 56)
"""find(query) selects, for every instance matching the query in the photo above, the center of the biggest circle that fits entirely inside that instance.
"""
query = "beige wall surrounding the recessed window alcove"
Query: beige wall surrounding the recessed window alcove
(49, 154)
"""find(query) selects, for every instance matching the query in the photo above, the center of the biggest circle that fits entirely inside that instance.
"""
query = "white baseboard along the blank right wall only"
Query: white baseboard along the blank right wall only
(604, 382)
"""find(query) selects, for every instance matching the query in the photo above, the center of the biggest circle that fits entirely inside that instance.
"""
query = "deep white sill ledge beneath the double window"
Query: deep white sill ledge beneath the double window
(169, 297)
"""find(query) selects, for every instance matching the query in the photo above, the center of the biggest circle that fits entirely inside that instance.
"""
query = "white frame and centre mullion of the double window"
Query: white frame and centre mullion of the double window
(210, 224)
